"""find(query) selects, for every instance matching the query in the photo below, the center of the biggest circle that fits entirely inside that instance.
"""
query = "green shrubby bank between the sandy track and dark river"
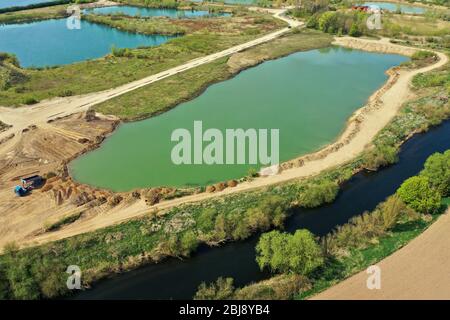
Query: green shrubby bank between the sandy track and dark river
(39, 272)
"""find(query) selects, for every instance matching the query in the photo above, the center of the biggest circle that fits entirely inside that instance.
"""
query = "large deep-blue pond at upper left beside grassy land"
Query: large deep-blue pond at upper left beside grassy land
(51, 42)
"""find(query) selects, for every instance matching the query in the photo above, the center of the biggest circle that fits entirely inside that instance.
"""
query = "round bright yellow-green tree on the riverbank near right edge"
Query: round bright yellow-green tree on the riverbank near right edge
(419, 195)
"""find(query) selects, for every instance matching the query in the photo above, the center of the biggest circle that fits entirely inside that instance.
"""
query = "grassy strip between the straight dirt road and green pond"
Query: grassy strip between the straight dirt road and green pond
(162, 95)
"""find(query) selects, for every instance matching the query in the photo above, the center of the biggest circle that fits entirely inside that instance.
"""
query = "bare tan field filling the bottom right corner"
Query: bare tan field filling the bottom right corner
(420, 270)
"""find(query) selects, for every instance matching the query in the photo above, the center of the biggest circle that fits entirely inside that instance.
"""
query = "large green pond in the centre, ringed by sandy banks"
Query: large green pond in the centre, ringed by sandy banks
(308, 96)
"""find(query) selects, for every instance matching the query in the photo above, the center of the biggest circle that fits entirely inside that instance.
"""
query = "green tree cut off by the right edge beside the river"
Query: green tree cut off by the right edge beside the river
(437, 170)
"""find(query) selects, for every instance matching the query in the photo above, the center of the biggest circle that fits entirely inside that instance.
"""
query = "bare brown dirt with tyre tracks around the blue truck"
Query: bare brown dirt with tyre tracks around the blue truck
(40, 150)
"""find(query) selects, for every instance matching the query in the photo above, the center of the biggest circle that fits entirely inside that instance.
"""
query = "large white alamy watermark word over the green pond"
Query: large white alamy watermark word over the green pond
(236, 146)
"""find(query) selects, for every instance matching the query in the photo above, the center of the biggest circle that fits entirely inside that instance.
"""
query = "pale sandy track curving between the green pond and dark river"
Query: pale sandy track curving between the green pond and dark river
(389, 102)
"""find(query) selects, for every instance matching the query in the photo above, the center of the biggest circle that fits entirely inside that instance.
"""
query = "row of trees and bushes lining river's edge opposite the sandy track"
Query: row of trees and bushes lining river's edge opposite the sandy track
(300, 253)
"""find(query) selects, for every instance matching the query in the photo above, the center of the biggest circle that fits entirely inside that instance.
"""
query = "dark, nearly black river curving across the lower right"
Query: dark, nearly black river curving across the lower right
(175, 279)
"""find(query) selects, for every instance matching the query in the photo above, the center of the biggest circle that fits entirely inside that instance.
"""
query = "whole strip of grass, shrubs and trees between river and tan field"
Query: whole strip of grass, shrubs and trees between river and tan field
(350, 248)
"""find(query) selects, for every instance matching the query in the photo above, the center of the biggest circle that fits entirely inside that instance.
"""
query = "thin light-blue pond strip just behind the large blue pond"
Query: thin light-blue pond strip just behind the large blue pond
(153, 12)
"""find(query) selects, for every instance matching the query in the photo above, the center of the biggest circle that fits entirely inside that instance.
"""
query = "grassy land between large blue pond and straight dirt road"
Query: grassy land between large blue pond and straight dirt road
(209, 35)
